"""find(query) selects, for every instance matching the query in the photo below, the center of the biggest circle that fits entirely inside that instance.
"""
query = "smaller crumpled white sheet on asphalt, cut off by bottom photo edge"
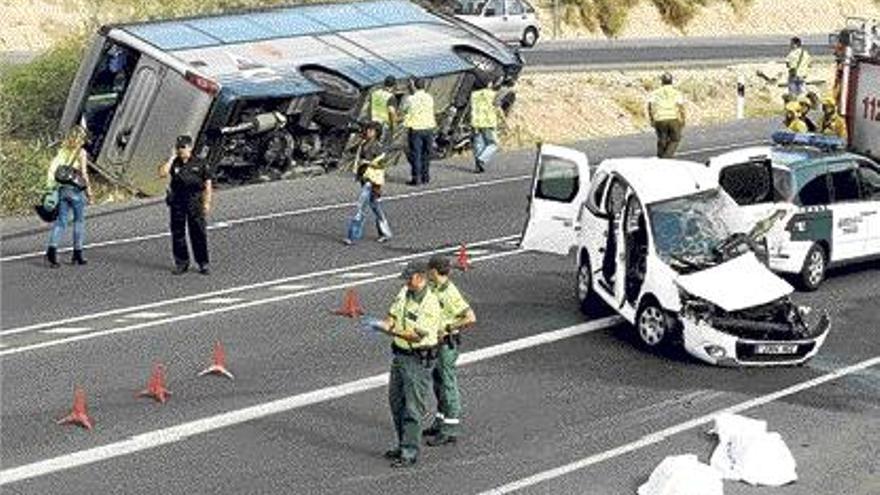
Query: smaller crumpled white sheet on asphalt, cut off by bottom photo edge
(683, 475)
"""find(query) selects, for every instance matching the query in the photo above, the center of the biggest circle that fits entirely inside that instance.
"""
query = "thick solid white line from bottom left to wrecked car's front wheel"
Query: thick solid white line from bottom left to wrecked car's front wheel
(182, 431)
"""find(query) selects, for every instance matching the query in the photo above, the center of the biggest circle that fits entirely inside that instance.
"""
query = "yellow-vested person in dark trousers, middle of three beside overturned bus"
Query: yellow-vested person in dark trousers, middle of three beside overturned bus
(420, 119)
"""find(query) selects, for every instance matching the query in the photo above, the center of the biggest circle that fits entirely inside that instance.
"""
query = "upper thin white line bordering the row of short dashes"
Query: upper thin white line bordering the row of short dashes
(232, 290)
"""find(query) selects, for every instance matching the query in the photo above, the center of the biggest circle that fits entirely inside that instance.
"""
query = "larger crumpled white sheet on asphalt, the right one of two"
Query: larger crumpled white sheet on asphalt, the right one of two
(748, 452)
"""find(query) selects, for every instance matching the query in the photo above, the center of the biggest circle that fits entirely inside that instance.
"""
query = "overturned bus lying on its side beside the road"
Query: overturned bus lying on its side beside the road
(273, 92)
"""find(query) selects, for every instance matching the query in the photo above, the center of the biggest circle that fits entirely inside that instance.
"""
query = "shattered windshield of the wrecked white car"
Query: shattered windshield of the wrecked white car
(688, 231)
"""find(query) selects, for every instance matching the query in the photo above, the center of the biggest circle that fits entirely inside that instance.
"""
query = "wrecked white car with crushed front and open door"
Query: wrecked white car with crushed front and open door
(667, 249)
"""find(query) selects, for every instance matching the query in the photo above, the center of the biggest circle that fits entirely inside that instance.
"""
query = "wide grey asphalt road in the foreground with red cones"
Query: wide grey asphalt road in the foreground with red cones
(307, 412)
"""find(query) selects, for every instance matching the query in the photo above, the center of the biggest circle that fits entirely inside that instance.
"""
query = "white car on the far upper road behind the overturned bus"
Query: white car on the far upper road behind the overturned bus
(513, 21)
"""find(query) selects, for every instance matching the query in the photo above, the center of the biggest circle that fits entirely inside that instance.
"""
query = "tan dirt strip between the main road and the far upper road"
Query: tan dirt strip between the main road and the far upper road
(573, 106)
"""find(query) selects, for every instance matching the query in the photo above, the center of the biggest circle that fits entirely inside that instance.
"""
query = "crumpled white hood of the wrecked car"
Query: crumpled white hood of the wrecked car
(737, 284)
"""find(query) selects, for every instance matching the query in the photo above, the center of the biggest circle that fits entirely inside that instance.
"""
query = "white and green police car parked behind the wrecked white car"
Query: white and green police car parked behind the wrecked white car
(826, 200)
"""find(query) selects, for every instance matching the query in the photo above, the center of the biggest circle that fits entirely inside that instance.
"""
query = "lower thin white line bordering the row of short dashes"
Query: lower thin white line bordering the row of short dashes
(219, 310)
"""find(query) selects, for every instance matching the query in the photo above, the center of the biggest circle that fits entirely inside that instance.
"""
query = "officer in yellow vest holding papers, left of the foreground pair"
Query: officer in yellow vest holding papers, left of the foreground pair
(414, 321)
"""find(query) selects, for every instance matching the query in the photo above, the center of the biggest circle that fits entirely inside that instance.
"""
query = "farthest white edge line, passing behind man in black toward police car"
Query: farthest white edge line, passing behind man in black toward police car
(315, 209)
